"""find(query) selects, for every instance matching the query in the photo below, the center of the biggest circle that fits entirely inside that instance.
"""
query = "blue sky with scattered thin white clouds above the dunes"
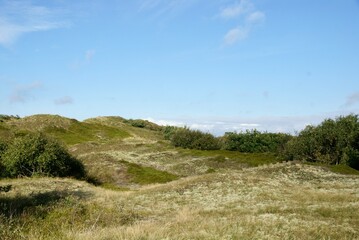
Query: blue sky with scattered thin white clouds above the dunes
(213, 65)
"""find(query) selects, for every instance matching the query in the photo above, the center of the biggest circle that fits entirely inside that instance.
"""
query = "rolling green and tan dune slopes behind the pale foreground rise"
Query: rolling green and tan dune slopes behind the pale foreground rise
(128, 153)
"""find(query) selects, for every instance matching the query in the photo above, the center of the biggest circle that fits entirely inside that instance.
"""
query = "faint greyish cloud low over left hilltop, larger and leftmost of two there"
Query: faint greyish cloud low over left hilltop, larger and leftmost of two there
(22, 93)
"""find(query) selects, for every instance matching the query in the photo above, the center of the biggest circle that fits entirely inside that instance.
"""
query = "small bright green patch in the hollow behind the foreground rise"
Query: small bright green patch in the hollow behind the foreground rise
(147, 175)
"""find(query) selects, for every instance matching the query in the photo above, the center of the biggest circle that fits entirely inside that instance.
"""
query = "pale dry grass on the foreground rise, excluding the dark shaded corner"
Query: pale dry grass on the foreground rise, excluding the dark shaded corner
(281, 201)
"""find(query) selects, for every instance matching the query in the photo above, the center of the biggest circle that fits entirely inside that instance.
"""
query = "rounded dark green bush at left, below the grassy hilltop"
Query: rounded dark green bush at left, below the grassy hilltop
(36, 154)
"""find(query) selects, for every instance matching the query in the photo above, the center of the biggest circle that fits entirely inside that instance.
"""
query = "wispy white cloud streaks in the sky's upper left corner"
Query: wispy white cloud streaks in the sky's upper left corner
(18, 18)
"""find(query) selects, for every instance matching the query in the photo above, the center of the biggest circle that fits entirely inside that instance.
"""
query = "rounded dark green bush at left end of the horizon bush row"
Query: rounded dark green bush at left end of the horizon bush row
(194, 139)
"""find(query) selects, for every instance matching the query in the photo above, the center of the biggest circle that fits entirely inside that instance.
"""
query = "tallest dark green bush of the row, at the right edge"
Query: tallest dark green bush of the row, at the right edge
(332, 142)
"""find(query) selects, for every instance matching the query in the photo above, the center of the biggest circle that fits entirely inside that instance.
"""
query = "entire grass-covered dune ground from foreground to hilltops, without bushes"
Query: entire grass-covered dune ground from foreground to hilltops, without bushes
(151, 190)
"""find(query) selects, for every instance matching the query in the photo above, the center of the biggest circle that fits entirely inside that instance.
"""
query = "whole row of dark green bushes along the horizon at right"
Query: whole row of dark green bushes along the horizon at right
(334, 141)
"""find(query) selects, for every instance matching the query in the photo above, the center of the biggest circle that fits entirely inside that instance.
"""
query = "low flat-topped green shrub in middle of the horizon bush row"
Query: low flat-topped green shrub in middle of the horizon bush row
(255, 141)
